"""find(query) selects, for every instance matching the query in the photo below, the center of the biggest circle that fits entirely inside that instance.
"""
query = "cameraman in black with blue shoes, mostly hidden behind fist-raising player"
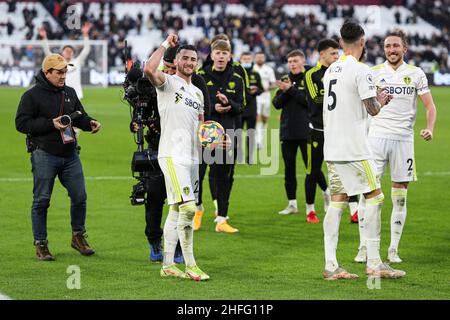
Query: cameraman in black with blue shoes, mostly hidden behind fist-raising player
(154, 185)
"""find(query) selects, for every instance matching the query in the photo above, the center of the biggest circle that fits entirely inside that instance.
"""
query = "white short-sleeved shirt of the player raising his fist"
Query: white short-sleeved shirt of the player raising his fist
(179, 106)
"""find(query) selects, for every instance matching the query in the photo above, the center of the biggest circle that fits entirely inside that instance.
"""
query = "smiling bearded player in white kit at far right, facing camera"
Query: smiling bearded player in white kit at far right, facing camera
(391, 132)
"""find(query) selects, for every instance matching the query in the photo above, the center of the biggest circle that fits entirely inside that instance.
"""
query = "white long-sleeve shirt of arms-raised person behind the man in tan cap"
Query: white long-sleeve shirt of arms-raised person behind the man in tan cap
(73, 78)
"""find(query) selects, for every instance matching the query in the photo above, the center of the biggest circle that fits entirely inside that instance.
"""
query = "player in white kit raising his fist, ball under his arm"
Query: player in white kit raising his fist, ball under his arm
(180, 105)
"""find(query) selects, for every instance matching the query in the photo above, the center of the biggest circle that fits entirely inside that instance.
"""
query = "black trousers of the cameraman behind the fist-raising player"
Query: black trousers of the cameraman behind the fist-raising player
(156, 196)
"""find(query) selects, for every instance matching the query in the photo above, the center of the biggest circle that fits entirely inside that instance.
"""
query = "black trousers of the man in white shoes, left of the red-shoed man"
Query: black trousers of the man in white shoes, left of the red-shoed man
(289, 150)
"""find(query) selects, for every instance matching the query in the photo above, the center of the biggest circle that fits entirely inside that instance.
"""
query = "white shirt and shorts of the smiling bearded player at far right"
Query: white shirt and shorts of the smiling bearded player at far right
(391, 132)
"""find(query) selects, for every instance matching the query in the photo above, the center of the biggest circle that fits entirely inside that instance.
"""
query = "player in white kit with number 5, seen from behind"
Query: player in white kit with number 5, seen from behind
(350, 95)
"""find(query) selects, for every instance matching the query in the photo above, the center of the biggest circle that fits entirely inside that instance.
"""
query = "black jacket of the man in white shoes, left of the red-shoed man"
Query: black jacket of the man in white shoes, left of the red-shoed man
(294, 122)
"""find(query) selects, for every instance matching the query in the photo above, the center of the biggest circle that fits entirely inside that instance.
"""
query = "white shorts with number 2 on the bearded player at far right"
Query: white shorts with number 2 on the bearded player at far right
(400, 156)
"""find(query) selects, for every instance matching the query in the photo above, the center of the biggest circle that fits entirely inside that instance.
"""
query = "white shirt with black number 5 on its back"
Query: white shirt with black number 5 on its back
(346, 82)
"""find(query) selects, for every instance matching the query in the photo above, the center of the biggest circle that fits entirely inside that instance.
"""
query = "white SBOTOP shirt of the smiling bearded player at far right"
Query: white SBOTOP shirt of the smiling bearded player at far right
(396, 120)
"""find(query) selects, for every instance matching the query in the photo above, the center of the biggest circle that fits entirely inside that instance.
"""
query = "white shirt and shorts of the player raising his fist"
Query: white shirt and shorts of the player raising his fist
(179, 106)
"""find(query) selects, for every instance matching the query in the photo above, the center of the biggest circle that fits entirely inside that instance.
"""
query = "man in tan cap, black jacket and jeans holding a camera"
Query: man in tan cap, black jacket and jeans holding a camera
(43, 114)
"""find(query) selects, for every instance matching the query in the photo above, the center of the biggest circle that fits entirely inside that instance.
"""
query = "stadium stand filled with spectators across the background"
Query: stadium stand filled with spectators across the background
(269, 26)
